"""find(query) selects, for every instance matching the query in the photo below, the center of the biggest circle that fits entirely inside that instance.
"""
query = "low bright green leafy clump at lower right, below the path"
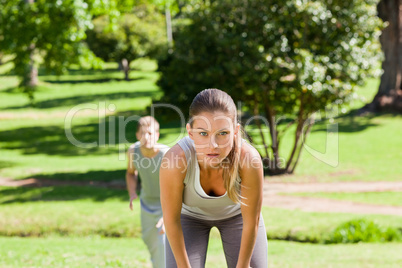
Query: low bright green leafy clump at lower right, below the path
(363, 231)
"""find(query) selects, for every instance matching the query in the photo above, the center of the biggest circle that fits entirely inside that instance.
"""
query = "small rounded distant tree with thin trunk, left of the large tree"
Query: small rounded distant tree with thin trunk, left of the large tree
(140, 33)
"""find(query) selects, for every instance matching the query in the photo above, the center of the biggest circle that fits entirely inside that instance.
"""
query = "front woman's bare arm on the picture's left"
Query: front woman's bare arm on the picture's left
(172, 174)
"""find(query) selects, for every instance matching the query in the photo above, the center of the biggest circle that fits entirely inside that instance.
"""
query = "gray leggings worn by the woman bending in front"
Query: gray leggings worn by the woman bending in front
(196, 235)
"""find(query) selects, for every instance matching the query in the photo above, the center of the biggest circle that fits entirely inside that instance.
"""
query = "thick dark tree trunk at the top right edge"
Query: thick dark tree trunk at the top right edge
(389, 95)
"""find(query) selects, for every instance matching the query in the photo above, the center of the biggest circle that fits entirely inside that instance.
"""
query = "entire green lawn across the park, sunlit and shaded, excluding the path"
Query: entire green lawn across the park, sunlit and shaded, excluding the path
(78, 226)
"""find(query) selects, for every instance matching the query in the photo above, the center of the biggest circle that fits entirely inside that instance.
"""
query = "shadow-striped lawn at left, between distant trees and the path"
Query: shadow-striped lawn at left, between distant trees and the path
(33, 140)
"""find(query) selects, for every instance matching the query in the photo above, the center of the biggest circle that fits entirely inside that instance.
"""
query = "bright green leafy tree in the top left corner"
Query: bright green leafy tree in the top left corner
(49, 30)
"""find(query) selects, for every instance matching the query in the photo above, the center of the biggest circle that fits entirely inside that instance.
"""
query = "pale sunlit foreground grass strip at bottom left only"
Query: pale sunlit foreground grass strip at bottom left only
(73, 252)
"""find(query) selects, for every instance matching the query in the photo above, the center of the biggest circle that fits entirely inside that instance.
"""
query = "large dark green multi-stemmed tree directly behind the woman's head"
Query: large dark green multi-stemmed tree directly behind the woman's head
(280, 58)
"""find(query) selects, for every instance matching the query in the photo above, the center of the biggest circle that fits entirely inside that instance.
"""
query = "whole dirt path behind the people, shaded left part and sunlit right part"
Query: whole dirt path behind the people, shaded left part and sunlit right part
(272, 194)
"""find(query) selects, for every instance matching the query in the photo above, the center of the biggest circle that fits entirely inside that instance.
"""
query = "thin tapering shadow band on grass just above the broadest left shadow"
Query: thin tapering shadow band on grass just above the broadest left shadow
(73, 101)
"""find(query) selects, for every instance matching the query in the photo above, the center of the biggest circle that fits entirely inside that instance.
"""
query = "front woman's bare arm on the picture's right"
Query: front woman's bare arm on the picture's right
(252, 176)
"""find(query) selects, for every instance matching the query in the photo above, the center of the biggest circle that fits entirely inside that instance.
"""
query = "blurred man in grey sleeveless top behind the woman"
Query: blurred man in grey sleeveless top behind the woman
(144, 158)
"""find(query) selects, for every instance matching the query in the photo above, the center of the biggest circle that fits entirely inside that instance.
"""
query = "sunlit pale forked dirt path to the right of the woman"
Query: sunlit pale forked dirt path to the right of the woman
(273, 197)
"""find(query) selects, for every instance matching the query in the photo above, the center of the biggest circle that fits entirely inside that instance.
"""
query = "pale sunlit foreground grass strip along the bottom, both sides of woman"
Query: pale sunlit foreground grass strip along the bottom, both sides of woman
(128, 252)
